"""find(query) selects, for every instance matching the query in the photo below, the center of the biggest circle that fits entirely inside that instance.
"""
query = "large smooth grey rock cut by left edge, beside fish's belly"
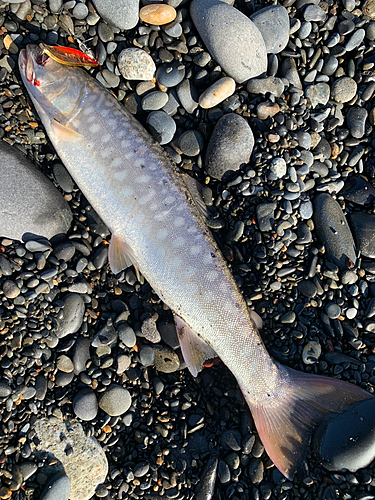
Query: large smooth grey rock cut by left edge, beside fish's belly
(30, 205)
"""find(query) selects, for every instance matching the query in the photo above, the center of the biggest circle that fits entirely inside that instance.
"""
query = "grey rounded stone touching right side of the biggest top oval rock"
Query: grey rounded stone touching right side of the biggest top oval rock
(273, 23)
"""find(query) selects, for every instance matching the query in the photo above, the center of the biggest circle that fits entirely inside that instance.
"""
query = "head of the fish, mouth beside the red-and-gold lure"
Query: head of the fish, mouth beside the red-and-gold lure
(51, 85)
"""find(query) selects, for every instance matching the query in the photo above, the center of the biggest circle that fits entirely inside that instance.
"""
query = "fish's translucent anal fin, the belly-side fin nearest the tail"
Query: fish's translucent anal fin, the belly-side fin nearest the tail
(194, 350)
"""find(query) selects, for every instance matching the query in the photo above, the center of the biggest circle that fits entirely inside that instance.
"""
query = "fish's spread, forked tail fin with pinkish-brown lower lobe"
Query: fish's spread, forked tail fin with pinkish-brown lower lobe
(285, 422)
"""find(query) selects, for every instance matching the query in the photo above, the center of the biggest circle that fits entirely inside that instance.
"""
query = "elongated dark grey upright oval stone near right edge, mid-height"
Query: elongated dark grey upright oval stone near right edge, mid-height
(333, 231)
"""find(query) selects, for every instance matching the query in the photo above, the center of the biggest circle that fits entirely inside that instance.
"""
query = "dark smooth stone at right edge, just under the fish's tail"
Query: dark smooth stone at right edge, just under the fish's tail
(347, 441)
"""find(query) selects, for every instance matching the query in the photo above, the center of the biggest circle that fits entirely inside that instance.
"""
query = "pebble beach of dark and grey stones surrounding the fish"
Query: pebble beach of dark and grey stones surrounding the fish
(271, 107)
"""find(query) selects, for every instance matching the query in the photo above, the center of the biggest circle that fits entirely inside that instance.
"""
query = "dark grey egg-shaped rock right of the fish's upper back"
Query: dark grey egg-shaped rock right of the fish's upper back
(230, 145)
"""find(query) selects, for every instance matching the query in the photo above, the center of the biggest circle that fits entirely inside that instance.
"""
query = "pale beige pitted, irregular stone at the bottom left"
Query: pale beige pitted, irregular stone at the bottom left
(86, 466)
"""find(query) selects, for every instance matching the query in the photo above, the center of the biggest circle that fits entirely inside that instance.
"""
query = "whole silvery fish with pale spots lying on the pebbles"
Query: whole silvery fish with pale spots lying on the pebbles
(157, 220)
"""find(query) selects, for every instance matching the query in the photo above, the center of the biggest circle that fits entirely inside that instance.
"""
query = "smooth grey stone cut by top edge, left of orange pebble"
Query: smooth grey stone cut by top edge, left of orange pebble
(121, 13)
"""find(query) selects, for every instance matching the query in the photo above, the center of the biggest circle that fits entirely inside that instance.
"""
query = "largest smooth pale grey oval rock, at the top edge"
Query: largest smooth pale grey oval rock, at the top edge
(231, 38)
